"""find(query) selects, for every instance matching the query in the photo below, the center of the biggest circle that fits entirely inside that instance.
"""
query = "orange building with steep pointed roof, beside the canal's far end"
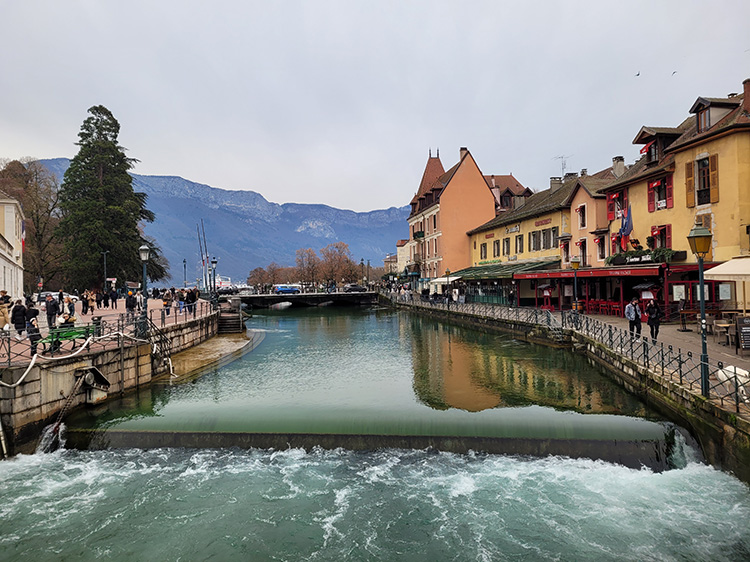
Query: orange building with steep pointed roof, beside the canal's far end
(446, 206)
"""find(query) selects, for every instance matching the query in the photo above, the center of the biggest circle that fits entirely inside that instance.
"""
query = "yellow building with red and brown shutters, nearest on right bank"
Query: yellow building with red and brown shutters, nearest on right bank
(697, 170)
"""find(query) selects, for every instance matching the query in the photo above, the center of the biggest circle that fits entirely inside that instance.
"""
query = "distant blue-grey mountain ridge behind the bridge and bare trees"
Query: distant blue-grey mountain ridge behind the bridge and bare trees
(246, 231)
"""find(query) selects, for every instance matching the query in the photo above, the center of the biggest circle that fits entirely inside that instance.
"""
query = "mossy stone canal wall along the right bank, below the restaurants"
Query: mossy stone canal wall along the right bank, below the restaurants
(723, 433)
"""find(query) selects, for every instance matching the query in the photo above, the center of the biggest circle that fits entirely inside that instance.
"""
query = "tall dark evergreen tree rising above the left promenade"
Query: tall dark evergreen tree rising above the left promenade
(100, 210)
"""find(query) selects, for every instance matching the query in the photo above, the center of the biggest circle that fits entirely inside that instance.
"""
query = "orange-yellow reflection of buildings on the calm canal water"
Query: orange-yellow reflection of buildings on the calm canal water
(457, 368)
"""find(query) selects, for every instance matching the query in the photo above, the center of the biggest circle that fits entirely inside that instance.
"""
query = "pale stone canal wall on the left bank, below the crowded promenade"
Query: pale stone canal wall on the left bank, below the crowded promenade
(26, 408)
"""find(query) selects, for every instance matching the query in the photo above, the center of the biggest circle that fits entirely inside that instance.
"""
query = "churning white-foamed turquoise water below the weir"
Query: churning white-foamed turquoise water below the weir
(390, 504)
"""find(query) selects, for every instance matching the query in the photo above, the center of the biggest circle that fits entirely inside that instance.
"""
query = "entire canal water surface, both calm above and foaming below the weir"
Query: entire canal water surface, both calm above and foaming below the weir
(373, 374)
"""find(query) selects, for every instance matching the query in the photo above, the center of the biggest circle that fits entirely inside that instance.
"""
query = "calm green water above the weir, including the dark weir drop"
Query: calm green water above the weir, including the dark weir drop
(366, 380)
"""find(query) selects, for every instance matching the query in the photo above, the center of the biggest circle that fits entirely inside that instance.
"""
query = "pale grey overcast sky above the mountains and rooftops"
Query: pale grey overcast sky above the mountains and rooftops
(338, 102)
